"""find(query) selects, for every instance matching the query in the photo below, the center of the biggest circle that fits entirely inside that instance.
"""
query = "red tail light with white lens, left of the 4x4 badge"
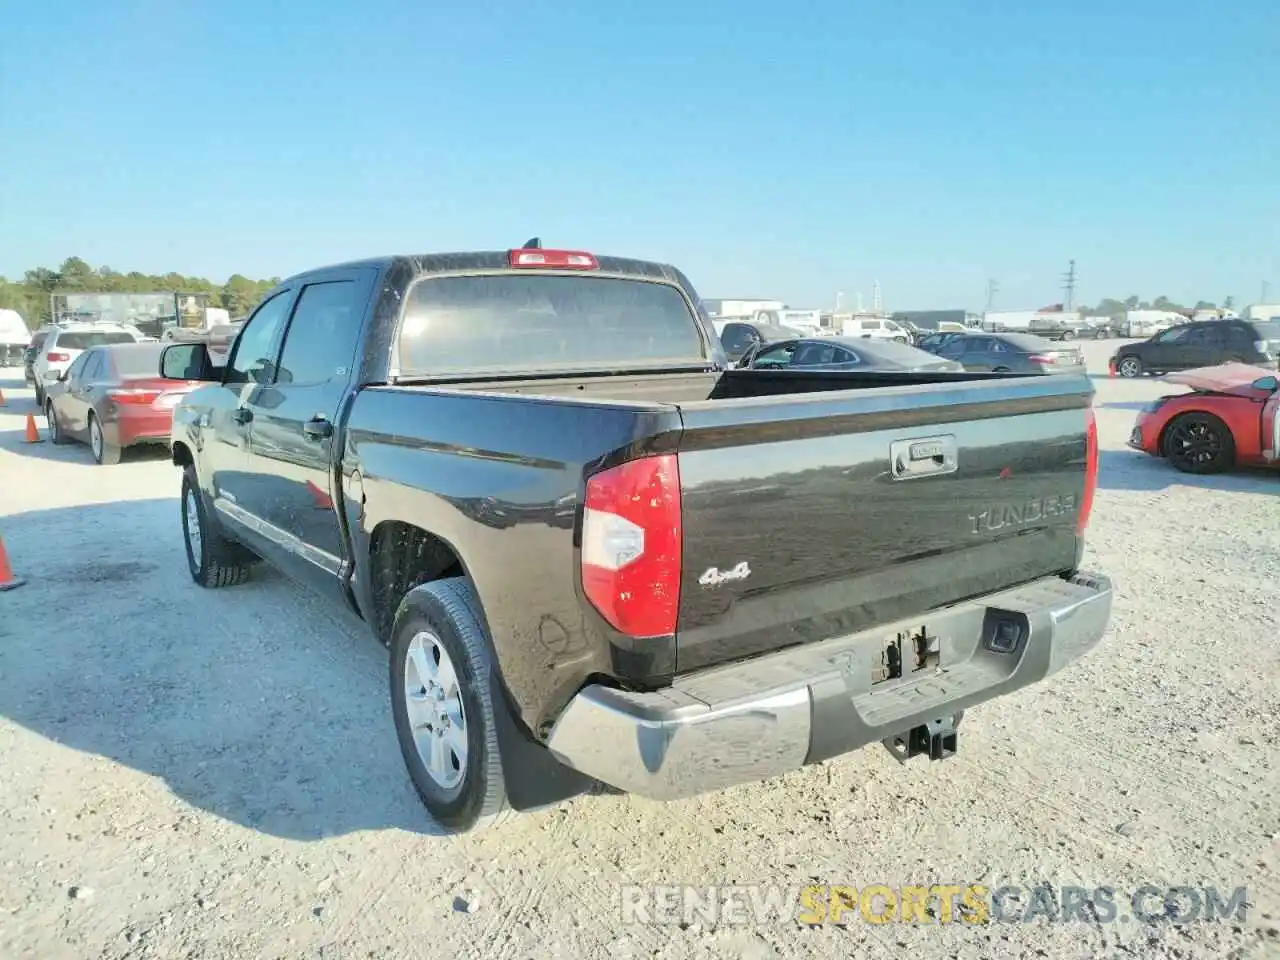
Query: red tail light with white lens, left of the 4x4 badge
(632, 546)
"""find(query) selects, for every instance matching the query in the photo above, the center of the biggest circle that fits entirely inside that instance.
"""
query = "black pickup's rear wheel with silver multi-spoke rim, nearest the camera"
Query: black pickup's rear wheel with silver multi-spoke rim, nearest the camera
(441, 625)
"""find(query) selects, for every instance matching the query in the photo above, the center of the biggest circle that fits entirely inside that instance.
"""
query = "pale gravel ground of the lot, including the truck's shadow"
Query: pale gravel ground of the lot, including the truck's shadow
(214, 774)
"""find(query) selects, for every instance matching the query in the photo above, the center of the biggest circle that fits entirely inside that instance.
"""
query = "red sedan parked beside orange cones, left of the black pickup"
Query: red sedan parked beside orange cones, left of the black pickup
(115, 397)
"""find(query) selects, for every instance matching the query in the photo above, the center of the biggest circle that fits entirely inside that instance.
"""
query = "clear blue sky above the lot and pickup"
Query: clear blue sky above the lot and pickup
(787, 150)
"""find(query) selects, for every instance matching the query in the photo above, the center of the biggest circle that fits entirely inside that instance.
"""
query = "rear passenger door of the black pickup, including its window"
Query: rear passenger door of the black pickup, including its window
(295, 442)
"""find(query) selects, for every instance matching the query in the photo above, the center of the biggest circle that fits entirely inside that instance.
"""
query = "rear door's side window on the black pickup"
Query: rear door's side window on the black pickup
(322, 337)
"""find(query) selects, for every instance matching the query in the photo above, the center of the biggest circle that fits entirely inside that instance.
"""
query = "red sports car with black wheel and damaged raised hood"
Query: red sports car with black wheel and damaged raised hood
(1232, 418)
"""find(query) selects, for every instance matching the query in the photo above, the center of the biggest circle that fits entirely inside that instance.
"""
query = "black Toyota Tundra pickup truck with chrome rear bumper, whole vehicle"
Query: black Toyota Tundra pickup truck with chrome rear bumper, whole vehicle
(600, 556)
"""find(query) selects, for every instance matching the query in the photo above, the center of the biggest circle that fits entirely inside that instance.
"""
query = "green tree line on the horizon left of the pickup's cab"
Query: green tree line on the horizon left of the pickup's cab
(30, 296)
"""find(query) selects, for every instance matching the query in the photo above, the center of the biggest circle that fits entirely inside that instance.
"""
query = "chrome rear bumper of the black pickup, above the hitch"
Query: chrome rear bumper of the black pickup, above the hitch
(776, 714)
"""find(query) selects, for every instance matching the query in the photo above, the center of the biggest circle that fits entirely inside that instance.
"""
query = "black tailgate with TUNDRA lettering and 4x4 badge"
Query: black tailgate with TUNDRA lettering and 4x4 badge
(812, 516)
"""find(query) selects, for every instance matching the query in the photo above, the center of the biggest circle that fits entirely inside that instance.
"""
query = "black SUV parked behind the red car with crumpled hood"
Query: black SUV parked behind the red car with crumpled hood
(1203, 344)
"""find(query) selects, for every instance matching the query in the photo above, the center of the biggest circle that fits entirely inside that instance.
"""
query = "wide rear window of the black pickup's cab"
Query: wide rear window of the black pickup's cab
(522, 321)
